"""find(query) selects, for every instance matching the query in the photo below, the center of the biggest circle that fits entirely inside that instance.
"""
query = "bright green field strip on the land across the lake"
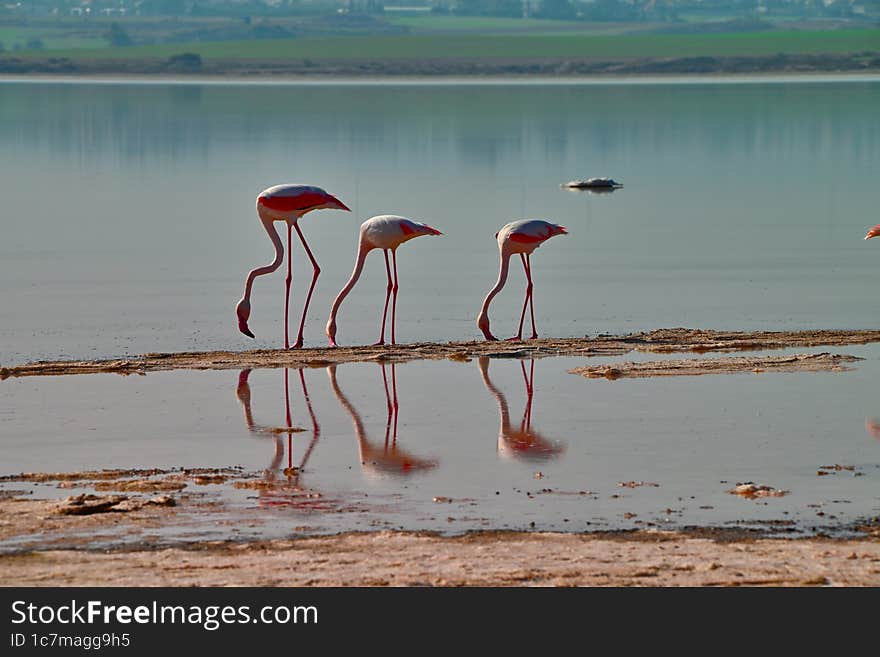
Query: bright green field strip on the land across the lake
(504, 46)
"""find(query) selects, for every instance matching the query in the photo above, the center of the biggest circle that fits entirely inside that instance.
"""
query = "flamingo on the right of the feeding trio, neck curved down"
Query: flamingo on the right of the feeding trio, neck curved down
(521, 237)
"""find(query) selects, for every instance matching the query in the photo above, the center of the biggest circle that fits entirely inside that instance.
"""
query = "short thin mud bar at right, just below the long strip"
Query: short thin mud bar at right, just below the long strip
(823, 362)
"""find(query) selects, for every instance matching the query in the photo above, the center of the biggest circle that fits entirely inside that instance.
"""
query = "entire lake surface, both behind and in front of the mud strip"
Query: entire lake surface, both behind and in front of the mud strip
(128, 226)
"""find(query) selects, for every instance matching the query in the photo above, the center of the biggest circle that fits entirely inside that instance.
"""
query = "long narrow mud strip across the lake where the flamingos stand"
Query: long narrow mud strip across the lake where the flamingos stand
(658, 341)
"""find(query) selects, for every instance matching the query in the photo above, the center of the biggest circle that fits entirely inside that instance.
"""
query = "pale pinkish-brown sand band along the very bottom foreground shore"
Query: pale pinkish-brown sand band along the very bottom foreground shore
(480, 559)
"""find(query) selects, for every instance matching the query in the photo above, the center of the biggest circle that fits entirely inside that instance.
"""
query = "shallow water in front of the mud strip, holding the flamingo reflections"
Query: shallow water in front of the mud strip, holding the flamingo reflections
(467, 432)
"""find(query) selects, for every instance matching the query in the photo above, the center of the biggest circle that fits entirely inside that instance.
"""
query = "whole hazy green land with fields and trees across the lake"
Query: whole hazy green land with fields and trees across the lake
(315, 35)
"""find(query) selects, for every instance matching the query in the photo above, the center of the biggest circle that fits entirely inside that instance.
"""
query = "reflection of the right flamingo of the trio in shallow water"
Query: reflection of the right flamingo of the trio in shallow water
(520, 442)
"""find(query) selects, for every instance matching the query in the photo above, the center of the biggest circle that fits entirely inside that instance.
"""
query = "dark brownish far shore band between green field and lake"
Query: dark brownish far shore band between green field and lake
(186, 66)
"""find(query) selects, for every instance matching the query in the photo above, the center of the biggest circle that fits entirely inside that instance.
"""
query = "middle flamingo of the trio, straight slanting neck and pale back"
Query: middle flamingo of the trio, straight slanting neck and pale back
(386, 232)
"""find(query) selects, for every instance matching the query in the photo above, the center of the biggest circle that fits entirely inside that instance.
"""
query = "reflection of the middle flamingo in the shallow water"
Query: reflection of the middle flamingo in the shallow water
(386, 458)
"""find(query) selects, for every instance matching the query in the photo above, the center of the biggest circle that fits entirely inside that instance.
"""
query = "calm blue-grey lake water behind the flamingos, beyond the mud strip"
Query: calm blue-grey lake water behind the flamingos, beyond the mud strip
(128, 220)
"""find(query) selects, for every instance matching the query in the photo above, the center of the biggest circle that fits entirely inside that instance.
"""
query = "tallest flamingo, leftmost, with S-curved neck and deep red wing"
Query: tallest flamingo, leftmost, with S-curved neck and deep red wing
(286, 203)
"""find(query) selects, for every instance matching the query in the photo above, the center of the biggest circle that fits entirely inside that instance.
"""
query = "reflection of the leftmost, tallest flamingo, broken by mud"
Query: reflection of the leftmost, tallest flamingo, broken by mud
(286, 491)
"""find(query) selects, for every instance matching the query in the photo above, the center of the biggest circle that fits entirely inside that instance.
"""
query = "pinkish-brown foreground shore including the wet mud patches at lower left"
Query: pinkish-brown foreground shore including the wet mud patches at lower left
(120, 543)
